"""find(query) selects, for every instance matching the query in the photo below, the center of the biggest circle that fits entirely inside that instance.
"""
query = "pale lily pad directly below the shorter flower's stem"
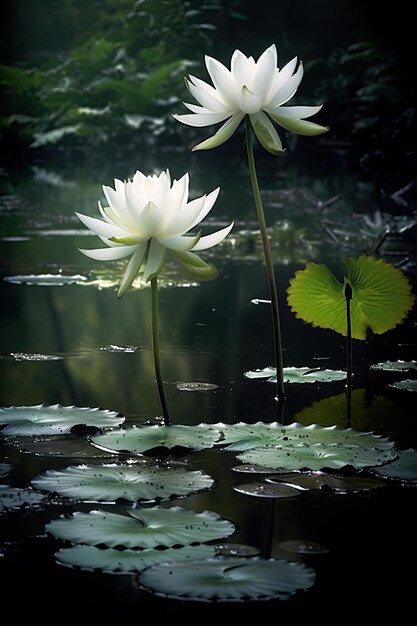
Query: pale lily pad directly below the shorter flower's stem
(142, 439)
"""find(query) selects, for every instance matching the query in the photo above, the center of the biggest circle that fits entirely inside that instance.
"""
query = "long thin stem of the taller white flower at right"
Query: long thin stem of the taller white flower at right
(268, 262)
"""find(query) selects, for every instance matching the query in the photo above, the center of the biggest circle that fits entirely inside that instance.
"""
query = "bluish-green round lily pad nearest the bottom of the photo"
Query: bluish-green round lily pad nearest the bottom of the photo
(228, 579)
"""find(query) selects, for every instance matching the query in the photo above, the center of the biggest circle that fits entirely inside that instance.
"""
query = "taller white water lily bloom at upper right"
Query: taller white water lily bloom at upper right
(254, 88)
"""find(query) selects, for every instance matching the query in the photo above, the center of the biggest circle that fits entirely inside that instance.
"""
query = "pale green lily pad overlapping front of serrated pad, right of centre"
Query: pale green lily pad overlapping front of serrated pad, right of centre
(317, 456)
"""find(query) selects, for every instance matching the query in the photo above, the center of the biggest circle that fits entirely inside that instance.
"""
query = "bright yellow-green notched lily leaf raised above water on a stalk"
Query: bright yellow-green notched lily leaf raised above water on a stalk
(381, 296)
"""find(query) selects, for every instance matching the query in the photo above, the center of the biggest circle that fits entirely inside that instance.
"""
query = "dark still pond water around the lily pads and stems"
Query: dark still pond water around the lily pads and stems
(66, 339)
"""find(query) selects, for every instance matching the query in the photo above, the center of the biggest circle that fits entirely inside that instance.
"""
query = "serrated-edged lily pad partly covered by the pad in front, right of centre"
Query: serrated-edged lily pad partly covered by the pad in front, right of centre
(243, 436)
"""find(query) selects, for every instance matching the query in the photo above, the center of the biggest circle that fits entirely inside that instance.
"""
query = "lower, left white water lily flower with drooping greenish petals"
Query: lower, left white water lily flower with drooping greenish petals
(147, 217)
